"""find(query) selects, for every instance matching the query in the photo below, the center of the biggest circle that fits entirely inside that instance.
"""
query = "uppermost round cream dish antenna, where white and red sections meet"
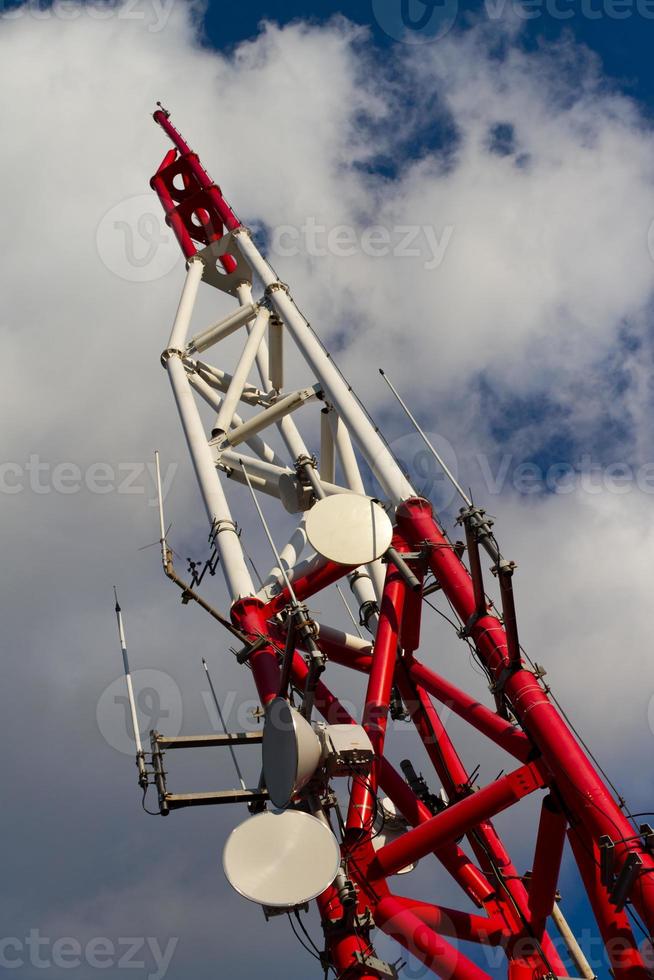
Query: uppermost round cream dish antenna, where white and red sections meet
(349, 528)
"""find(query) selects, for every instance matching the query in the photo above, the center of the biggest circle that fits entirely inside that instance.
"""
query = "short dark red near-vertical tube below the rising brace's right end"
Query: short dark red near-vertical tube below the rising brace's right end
(547, 863)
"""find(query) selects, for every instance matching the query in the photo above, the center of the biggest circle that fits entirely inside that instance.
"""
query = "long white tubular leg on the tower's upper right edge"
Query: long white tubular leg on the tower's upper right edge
(391, 478)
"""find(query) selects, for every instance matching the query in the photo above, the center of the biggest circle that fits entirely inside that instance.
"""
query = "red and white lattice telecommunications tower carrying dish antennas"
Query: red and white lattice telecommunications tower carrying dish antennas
(389, 564)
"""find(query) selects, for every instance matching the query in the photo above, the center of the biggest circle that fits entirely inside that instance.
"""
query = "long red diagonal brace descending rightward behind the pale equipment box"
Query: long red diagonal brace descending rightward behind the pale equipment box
(455, 861)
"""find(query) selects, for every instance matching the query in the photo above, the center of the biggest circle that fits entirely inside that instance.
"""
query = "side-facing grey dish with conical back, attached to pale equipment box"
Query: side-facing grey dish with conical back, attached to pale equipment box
(291, 752)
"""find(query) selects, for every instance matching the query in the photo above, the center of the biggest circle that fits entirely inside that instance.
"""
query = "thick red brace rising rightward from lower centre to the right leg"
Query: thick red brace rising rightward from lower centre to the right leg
(456, 820)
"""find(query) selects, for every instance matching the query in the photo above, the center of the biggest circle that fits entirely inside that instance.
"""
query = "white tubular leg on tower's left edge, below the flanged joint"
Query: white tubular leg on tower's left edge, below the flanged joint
(229, 548)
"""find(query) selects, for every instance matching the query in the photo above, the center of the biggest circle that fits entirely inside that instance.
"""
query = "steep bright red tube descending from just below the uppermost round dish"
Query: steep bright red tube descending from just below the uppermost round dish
(361, 811)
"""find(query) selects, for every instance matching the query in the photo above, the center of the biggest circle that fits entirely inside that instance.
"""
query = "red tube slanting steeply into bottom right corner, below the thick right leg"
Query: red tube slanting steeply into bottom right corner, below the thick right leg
(621, 948)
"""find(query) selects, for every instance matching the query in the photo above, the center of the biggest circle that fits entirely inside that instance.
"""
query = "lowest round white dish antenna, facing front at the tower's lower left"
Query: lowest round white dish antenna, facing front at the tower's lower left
(281, 859)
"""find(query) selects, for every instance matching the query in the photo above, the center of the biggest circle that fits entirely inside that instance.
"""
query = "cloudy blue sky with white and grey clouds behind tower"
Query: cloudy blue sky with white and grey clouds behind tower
(468, 204)
